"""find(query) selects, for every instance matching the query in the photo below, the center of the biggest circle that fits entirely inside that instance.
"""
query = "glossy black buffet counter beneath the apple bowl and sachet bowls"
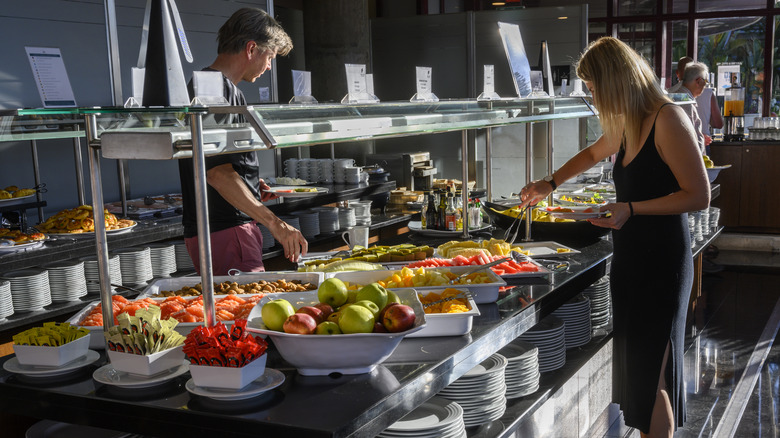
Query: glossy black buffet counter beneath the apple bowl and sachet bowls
(353, 405)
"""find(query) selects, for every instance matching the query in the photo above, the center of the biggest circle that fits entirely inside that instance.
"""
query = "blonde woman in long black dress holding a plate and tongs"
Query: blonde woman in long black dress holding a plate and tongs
(659, 176)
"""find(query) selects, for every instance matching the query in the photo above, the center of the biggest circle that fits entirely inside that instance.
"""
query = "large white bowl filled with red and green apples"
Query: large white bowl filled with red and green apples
(320, 355)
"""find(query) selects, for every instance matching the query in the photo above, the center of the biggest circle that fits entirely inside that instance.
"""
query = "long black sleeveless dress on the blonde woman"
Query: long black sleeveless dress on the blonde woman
(651, 279)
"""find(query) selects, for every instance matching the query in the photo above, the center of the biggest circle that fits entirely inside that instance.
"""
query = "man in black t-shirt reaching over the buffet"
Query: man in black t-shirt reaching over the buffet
(247, 43)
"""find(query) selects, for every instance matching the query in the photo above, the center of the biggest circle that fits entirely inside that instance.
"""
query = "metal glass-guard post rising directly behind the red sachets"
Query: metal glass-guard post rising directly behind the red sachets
(204, 234)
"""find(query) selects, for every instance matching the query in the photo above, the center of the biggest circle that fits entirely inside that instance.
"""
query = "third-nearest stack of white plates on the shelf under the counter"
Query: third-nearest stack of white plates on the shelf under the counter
(522, 370)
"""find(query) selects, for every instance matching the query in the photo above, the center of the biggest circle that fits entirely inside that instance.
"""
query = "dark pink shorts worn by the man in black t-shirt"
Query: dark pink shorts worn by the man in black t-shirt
(240, 247)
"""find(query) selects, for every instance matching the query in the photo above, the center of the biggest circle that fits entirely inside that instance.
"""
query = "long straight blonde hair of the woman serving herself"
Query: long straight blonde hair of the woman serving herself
(625, 88)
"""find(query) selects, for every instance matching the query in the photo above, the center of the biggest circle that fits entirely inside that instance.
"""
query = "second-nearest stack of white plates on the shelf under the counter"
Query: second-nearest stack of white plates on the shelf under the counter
(480, 392)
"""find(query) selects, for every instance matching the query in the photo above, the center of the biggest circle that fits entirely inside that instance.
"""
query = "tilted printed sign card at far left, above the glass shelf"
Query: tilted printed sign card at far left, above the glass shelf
(51, 77)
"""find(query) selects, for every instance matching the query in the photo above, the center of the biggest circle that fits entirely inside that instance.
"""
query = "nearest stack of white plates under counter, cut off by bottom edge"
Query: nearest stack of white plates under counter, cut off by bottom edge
(436, 418)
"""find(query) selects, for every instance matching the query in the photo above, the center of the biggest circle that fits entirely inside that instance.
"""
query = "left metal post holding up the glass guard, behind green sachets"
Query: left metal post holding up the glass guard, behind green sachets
(101, 241)
